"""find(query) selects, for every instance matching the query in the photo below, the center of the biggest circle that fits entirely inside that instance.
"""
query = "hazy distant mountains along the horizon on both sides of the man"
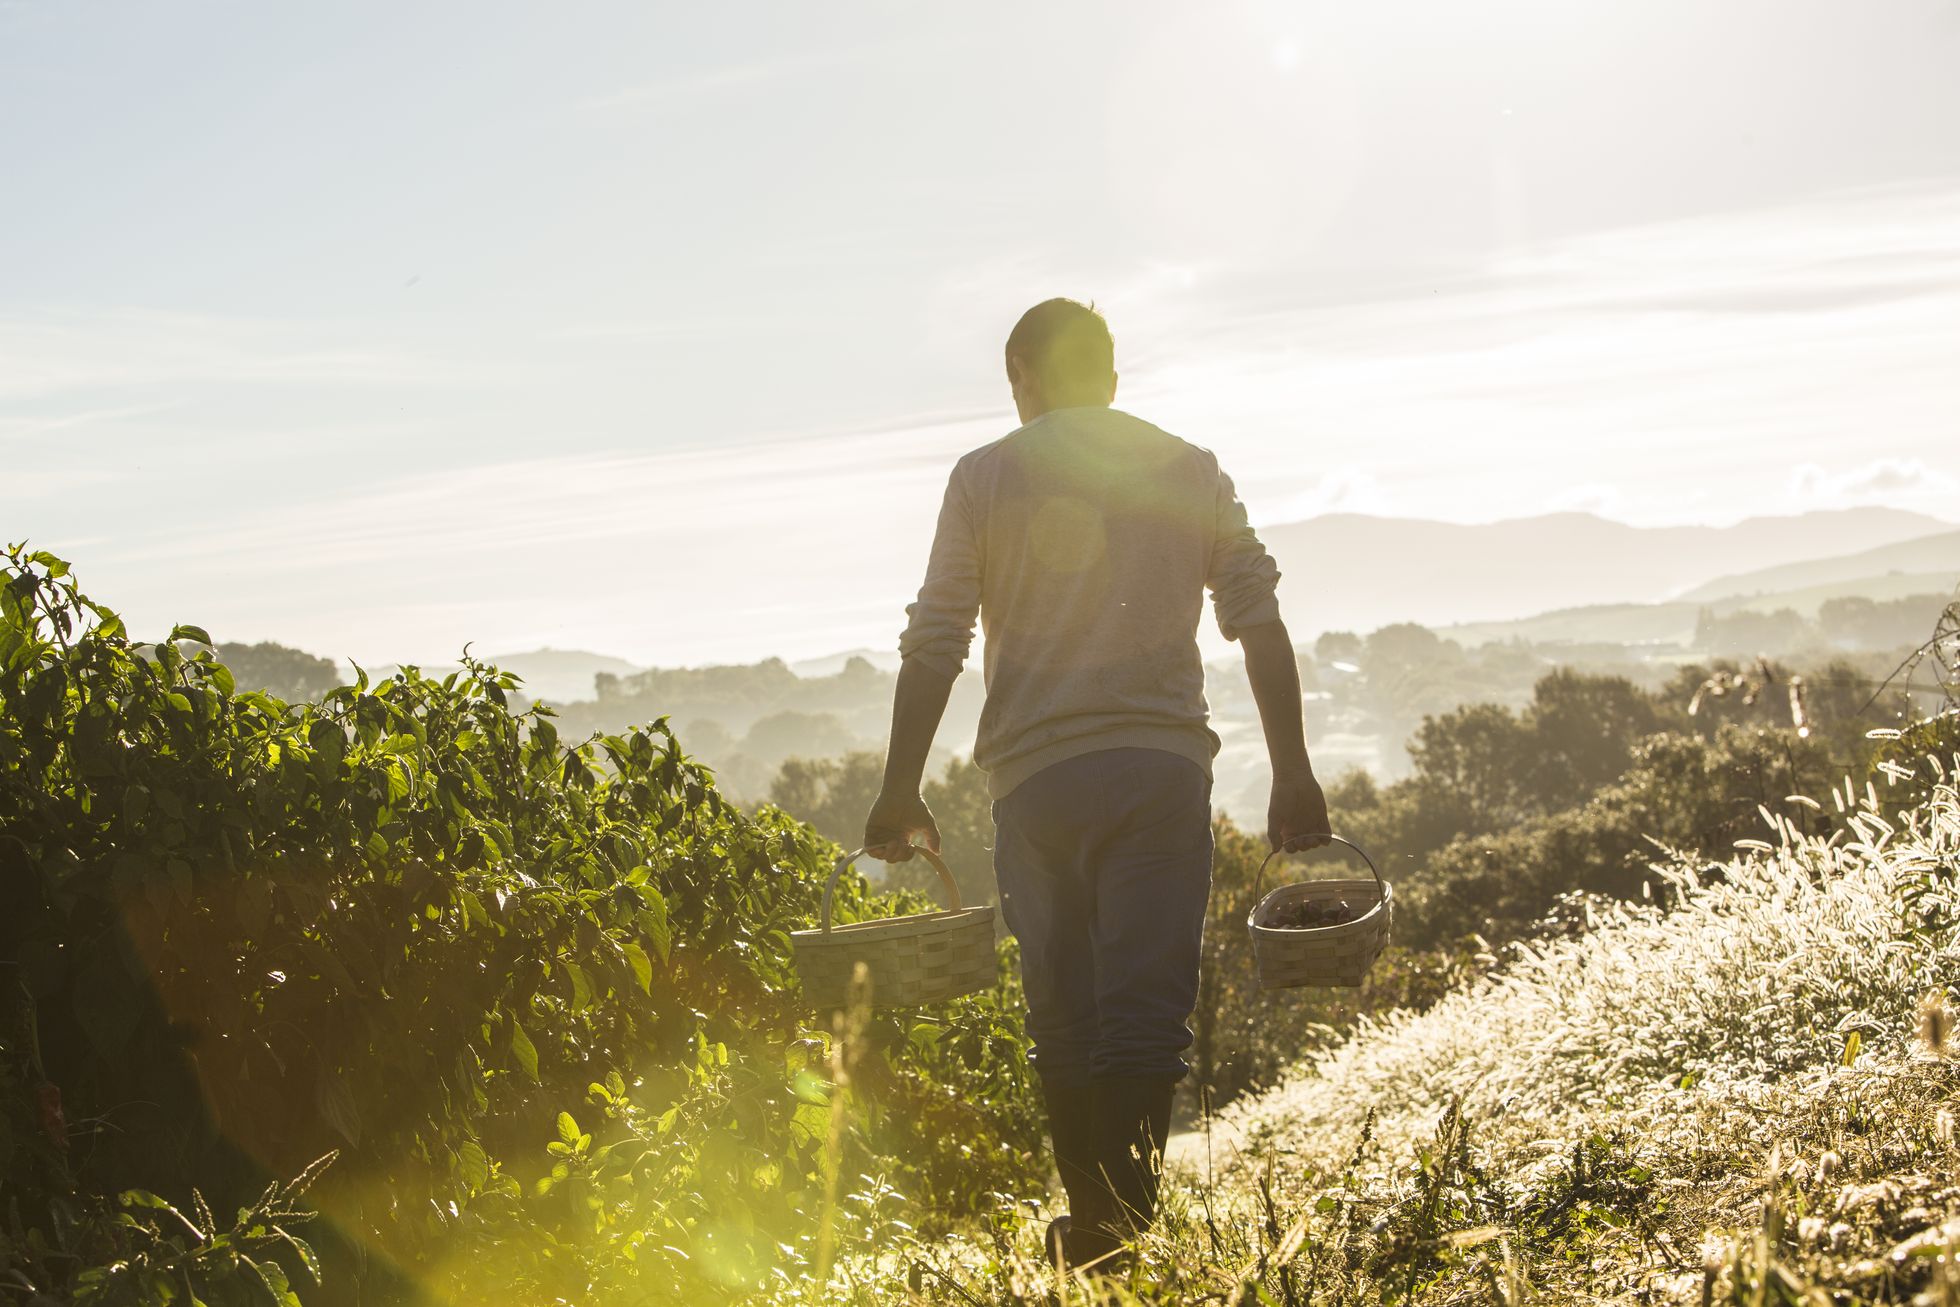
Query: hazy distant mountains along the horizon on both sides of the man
(1561, 577)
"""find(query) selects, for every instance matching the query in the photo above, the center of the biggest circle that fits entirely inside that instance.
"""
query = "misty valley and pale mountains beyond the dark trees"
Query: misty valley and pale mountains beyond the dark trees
(1496, 605)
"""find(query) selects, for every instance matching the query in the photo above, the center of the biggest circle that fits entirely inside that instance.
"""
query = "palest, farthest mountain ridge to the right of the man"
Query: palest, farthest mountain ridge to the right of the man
(1355, 573)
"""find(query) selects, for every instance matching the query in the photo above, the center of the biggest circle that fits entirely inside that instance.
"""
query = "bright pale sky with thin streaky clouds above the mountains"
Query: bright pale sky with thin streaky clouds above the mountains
(654, 330)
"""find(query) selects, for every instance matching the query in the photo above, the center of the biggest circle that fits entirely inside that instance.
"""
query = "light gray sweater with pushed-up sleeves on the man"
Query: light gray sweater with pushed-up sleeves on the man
(1087, 542)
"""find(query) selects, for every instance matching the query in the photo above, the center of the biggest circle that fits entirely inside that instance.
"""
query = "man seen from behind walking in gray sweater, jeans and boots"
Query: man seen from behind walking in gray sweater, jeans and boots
(1085, 542)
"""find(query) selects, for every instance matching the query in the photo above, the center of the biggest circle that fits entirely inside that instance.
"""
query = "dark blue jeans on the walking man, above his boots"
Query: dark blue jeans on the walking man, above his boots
(1104, 867)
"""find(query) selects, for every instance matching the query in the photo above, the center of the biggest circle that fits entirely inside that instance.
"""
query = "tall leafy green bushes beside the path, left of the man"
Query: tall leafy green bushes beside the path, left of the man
(416, 930)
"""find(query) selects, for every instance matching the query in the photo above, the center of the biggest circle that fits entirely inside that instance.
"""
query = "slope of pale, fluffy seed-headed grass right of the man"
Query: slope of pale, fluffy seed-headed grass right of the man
(1755, 1085)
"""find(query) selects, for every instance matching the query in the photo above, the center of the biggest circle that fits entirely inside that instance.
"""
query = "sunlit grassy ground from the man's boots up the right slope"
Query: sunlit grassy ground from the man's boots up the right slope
(1741, 1100)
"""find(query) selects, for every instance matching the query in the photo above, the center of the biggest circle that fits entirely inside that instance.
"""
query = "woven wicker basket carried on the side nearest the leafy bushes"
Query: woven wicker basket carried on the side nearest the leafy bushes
(922, 959)
